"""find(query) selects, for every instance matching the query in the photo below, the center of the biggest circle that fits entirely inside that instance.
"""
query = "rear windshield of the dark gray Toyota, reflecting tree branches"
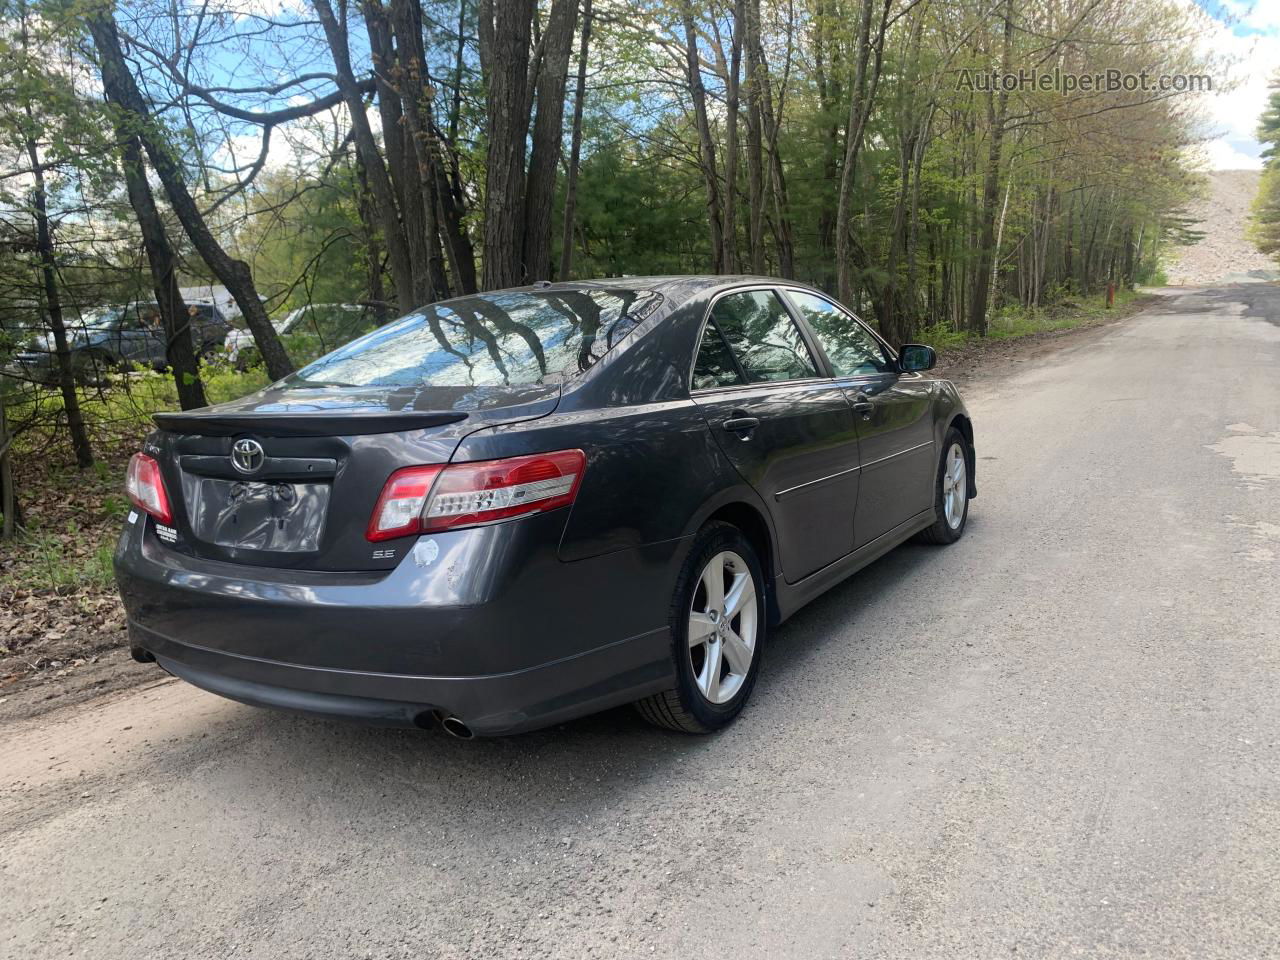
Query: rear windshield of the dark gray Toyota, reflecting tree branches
(488, 340)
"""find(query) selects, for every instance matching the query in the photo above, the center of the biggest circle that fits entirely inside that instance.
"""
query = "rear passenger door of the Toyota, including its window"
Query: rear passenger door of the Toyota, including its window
(783, 423)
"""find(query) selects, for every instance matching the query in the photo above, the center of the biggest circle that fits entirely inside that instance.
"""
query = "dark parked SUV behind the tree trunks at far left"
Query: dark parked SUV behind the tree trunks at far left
(120, 337)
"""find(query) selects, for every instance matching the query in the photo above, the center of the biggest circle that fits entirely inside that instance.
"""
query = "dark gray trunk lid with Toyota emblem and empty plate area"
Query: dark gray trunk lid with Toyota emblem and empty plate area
(290, 477)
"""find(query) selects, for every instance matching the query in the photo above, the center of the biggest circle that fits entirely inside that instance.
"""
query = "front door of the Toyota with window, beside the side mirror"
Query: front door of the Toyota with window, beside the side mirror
(895, 427)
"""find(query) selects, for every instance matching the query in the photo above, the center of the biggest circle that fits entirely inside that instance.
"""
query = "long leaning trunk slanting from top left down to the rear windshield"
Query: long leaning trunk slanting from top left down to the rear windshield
(235, 275)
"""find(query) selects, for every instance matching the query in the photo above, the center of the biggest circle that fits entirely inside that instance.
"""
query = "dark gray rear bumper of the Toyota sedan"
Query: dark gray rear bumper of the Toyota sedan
(509, 638)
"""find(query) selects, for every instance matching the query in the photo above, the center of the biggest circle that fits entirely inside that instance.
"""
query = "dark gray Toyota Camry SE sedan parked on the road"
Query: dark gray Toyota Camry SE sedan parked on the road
(513, 509)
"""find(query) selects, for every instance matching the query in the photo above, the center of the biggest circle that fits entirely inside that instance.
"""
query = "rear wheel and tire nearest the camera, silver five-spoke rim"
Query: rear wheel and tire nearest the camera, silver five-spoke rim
(716, 646)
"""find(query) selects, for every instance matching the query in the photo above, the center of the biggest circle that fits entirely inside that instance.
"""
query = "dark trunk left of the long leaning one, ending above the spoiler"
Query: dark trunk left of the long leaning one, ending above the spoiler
(180, 348)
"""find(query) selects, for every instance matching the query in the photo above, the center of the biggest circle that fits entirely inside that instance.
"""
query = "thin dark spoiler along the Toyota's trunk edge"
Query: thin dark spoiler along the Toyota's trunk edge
(326, 424)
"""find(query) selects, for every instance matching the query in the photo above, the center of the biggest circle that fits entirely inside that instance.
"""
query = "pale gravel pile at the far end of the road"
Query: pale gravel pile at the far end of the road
(1226, 254)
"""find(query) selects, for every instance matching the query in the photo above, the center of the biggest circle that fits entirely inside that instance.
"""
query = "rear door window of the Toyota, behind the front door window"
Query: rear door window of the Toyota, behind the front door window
(764, 337)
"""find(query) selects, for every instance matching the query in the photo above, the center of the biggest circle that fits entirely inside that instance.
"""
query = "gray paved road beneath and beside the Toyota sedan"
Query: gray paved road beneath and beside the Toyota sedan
(1055, 739)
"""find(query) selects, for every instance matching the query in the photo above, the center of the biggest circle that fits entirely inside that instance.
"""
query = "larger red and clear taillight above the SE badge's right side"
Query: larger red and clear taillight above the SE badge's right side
(426, 500)
